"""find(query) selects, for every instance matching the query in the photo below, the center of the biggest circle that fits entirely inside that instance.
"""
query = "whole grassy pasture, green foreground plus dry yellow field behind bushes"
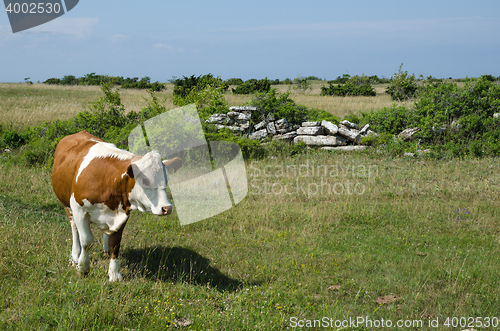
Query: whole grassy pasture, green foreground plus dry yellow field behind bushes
(322, 238)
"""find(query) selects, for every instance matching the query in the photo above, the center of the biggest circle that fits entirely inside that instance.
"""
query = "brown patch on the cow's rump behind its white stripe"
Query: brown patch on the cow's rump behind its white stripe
(68, 157)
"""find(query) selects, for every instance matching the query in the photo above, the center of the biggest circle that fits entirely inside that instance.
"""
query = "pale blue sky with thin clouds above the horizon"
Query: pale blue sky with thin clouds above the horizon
(257, 39)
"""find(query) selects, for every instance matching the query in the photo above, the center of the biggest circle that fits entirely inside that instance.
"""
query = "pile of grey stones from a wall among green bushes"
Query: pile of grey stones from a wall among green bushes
(324, 134)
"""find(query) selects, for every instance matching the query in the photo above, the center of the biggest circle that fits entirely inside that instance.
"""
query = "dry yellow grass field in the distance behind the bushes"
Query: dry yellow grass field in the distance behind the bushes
(24, 105)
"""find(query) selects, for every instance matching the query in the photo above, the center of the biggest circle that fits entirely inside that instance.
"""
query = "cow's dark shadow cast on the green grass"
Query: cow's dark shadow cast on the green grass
(177, 264)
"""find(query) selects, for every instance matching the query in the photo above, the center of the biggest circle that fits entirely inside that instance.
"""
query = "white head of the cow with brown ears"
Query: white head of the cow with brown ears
(151, 177)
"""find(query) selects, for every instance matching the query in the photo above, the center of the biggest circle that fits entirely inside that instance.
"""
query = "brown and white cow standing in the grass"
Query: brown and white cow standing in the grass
(99, 183)
